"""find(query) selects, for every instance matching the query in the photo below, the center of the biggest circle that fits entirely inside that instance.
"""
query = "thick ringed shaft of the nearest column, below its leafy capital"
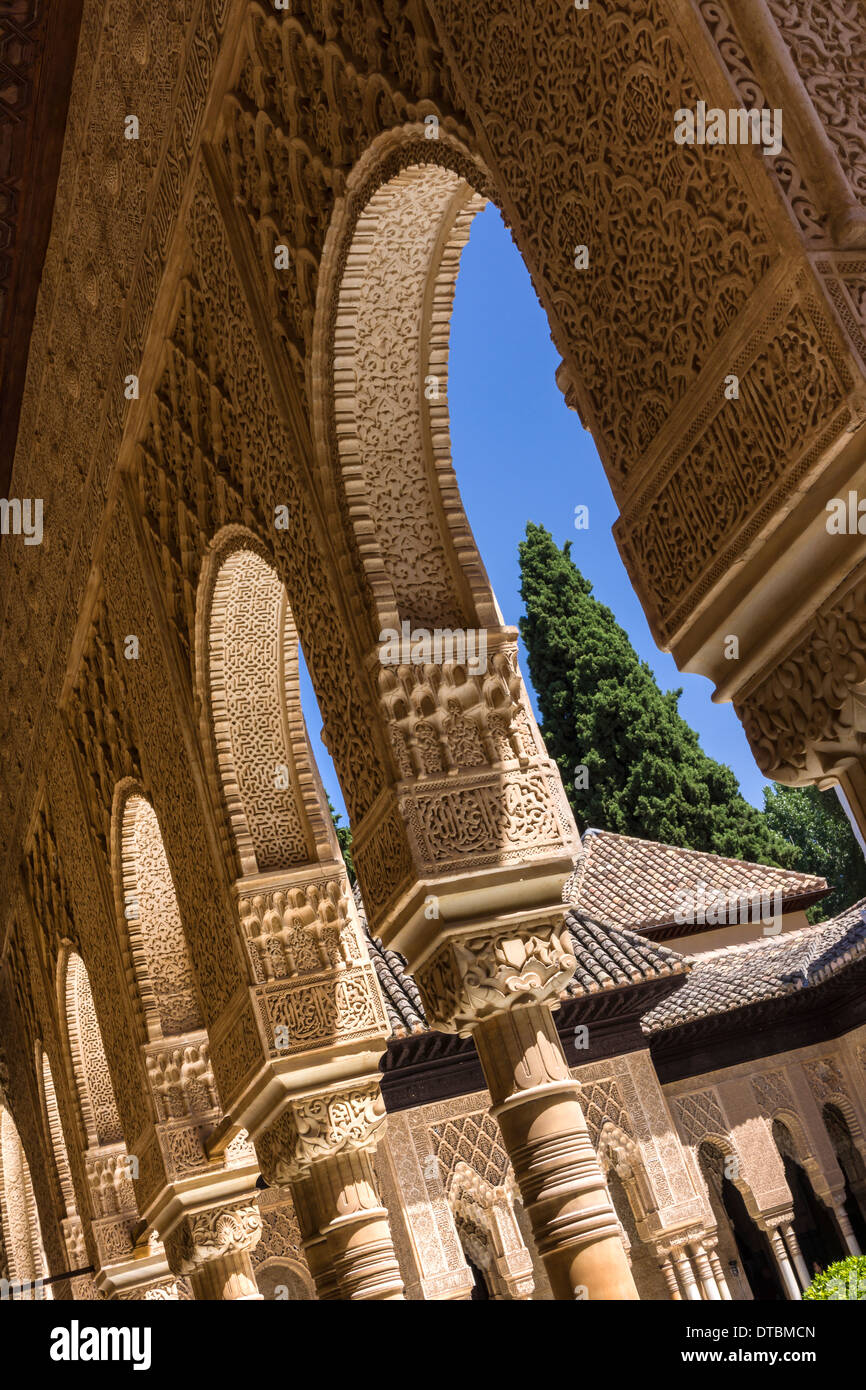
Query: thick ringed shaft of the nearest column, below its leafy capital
(546, 1134)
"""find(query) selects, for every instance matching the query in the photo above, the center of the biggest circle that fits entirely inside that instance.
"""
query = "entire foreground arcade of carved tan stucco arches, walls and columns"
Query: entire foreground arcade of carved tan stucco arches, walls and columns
(237, 415)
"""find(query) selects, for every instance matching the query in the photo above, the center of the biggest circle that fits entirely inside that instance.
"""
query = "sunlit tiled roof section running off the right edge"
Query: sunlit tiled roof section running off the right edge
(767, 970)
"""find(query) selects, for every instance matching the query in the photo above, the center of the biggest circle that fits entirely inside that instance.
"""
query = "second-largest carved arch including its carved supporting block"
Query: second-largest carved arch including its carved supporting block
(313, 985)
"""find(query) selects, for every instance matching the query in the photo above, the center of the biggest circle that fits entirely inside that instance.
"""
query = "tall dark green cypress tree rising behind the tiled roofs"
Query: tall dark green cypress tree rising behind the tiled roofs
(603, 710)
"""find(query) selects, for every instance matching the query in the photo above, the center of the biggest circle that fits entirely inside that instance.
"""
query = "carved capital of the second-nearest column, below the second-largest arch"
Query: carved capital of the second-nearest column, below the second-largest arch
(316, 1128)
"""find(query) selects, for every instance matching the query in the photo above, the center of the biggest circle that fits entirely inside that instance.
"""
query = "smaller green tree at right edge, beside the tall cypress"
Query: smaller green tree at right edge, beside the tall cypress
(818, 826)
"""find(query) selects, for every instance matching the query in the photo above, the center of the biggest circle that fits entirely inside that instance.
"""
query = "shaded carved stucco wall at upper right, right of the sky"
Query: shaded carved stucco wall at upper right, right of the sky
(708, 265)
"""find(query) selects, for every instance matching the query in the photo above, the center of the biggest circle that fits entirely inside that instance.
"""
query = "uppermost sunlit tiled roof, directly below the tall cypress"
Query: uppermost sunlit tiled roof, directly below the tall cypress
(639, 883)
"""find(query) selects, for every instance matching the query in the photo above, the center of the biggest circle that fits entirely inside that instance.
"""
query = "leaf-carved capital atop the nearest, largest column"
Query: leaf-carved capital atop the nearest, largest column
(473, 978)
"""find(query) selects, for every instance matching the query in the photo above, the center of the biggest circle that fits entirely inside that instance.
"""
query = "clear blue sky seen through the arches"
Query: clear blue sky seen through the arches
(523, 457)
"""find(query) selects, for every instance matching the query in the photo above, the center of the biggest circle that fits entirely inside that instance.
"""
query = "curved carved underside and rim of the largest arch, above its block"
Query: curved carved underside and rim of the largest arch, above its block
(380, 352)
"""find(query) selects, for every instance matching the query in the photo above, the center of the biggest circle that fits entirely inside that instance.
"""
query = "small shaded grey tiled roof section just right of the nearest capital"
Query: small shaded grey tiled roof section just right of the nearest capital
(610, 958)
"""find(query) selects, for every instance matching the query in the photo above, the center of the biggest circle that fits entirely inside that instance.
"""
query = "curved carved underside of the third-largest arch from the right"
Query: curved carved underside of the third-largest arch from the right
(152, 933)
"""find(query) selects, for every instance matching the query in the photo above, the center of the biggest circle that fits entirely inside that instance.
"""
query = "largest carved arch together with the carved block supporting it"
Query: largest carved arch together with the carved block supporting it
(472, 785)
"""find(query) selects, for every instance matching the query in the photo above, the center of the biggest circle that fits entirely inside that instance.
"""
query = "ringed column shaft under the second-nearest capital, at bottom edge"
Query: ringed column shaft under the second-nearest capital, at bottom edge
(358, 1232)
